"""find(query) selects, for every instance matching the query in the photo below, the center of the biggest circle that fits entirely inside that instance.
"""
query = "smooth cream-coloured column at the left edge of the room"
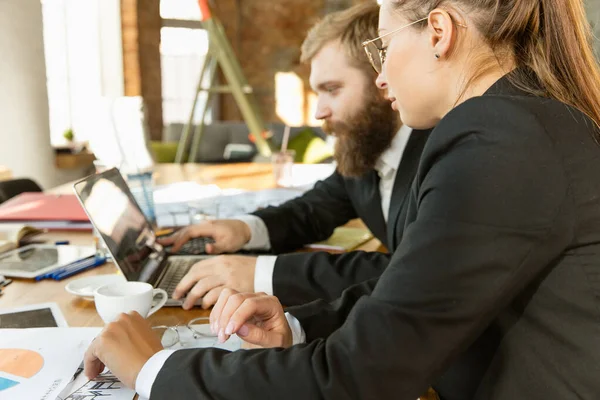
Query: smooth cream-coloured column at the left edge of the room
(24, 126)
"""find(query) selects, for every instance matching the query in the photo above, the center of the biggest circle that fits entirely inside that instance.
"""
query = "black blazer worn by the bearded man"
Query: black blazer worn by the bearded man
(302, 277)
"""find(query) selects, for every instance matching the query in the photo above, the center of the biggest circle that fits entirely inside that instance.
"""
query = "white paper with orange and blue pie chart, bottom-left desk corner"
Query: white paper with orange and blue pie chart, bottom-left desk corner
(38, 363)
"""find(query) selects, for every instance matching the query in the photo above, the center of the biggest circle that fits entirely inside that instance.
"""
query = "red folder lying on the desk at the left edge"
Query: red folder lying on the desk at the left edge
(42, 207)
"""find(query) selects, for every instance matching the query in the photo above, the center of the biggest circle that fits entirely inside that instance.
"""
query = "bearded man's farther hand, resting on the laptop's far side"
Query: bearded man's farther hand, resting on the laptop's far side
(229, 235)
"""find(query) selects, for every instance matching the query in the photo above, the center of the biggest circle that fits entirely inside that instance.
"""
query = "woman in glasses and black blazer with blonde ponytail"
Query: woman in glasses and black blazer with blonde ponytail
(493, 293)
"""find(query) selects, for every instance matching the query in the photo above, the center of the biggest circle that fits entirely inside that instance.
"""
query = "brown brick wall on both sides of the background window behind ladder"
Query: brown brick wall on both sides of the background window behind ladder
(265, 35)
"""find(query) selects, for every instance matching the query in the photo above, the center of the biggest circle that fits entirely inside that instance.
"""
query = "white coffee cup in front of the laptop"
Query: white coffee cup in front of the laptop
(114, 299)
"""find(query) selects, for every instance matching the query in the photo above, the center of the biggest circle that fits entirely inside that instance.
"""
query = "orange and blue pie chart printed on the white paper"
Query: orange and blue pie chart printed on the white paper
(18, 365)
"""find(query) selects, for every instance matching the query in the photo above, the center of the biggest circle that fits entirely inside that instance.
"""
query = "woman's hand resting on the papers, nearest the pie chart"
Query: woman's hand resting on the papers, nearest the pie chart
(124, 346)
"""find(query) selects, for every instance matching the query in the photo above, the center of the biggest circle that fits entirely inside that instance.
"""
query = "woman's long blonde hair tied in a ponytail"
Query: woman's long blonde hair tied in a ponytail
(549, 39)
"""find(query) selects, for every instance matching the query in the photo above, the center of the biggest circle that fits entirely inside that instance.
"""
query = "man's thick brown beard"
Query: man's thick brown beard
(362, 139)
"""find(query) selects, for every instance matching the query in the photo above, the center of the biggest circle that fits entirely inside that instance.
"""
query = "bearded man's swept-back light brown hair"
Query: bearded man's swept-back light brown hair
(351, 27)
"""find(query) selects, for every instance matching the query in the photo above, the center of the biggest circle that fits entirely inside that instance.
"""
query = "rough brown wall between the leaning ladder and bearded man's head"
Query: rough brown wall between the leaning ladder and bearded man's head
(266, 37)
